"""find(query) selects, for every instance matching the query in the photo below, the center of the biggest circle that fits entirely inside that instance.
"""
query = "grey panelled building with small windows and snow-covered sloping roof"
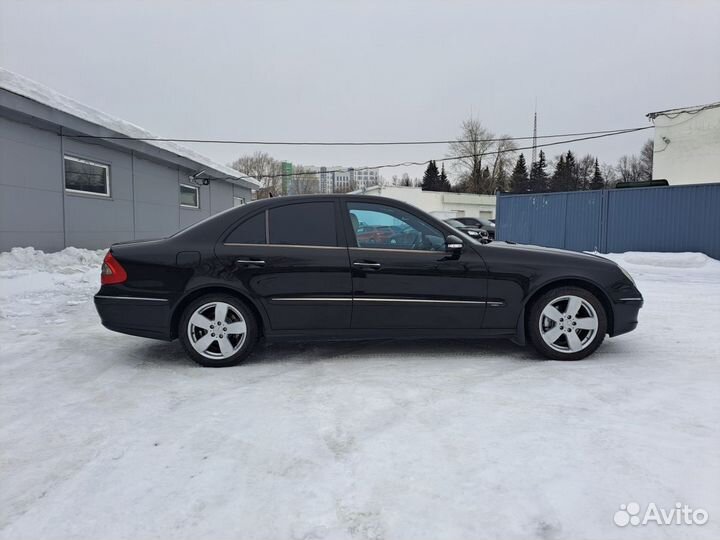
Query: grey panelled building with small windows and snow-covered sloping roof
(71, 175)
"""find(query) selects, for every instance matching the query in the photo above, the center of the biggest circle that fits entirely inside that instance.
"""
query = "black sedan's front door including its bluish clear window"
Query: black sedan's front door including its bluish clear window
(407, 279)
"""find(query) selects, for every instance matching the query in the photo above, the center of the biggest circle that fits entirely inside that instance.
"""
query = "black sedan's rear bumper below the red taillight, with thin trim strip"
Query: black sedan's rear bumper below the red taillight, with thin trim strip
(137, 316)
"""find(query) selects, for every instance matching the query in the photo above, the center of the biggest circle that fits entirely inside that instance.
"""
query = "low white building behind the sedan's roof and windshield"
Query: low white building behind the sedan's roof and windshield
(441, 204)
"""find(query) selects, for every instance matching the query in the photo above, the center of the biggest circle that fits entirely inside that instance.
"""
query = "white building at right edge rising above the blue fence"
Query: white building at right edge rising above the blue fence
(687, 144)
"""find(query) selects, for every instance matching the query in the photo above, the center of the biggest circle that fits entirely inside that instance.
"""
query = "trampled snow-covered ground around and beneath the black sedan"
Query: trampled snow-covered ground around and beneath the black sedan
(105, 436)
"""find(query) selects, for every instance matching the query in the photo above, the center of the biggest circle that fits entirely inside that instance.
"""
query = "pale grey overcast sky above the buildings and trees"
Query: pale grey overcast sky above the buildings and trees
(351, 70)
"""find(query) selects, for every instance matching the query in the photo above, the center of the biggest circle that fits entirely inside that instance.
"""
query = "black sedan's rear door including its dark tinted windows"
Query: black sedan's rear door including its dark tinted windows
(291, 259)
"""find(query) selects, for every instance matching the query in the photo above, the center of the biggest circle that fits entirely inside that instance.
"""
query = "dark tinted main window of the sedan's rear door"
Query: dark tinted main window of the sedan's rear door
(303, 224)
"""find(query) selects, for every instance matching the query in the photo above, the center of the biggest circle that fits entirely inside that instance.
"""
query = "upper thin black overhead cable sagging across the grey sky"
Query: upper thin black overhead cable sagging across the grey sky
(347, 143)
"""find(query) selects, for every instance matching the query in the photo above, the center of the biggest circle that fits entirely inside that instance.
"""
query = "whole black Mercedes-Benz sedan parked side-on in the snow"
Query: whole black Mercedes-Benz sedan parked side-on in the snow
(297, 268)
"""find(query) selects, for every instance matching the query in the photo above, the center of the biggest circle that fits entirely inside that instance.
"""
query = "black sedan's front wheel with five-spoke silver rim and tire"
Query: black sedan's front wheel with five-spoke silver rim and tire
(567, 323)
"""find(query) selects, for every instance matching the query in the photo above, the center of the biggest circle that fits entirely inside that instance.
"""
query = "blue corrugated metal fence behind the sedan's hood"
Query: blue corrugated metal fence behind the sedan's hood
(674, 218)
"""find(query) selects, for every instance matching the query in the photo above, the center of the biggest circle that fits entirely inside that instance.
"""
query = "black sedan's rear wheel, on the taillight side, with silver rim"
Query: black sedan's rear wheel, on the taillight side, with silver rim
(213, 345)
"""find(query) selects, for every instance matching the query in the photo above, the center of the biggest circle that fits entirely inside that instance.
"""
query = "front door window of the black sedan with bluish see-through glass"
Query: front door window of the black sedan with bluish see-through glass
(386, 227)
